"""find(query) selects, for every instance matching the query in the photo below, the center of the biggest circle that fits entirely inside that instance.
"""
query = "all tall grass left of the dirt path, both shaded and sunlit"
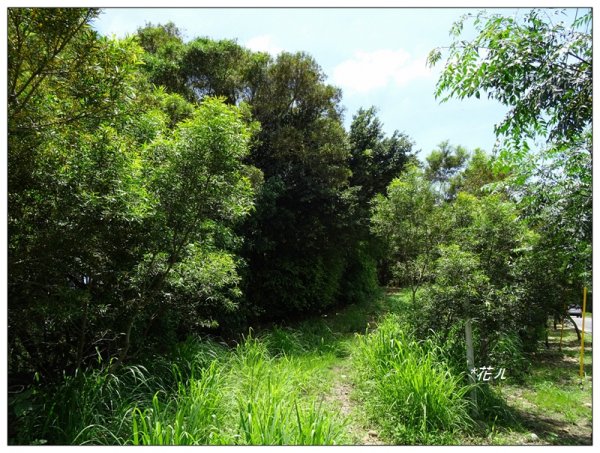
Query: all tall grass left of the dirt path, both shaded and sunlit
(266, 391)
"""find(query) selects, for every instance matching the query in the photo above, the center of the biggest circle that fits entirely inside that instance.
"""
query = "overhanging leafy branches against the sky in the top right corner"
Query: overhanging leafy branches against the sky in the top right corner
(541, 69)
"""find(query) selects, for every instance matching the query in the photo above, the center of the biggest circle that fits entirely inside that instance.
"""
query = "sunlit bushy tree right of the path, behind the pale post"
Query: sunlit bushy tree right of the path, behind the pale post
(473, 257)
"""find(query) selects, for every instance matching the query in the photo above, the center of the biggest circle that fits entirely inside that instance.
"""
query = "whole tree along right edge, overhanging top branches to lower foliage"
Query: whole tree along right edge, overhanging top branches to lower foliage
(542, 69)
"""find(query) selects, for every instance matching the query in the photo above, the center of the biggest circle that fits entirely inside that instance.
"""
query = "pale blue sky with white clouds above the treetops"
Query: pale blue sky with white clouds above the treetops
(375, 55)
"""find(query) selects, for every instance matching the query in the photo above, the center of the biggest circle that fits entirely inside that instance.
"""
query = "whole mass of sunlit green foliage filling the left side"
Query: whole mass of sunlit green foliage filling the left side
(122, 199)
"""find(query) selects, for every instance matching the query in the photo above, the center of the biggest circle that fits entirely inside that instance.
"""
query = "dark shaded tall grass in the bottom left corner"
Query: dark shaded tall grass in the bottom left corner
(86, 407)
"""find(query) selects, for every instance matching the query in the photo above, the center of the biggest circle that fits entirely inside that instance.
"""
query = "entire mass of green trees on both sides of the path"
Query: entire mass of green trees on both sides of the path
(160, 188)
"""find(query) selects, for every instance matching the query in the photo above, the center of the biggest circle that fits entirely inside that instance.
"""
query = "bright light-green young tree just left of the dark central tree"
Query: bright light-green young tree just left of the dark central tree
(201, 189)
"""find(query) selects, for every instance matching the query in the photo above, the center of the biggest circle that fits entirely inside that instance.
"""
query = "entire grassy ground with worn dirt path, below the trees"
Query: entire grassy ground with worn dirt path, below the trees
(352, 377)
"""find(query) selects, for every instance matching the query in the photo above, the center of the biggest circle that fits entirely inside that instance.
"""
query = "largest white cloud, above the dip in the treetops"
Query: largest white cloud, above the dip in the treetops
(368, 71)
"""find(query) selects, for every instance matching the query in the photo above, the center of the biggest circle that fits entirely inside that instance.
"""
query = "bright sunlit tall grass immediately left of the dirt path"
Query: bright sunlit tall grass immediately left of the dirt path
(251, 398)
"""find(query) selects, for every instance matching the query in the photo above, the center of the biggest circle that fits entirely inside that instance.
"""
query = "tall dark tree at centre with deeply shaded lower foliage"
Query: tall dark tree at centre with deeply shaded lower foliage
(296, 240)
